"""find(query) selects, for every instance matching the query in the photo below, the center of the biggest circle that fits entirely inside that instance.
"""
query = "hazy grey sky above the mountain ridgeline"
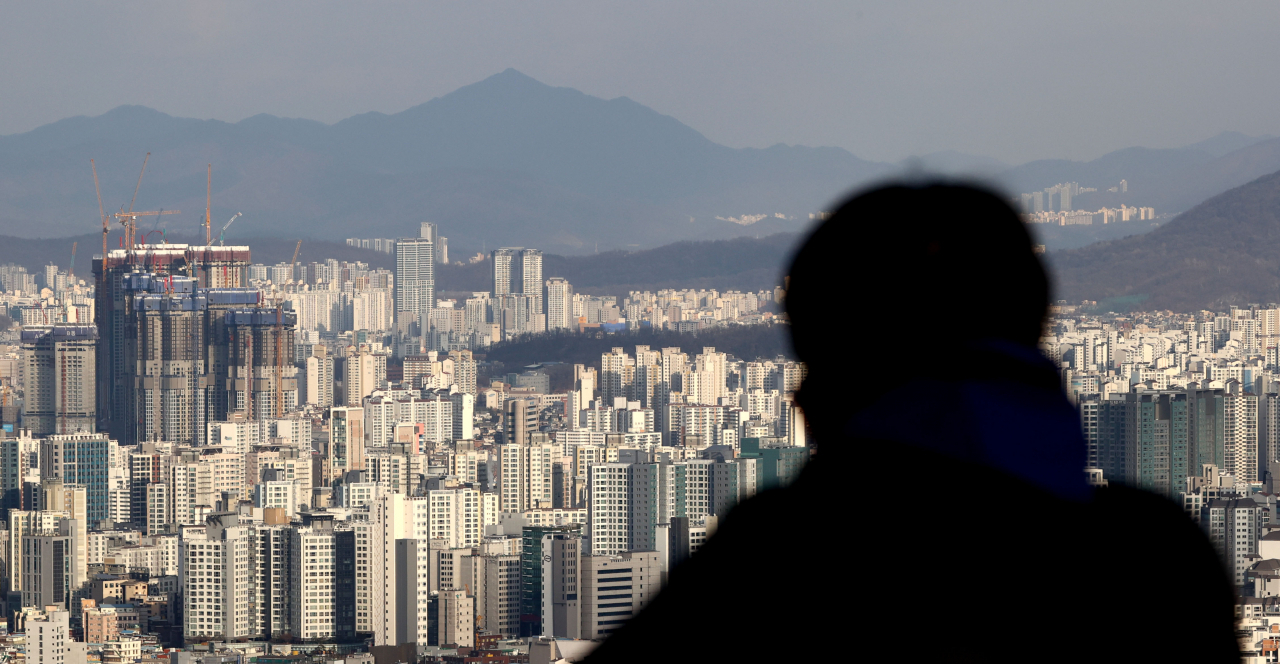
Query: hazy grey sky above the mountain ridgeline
(1016, 80)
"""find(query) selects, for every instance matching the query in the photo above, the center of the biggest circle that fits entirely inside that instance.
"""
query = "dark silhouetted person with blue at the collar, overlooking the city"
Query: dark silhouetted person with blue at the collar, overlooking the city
(945, 515)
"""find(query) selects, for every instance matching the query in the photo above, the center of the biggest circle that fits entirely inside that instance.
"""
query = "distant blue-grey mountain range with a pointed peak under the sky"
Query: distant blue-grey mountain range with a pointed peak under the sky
(513, 162)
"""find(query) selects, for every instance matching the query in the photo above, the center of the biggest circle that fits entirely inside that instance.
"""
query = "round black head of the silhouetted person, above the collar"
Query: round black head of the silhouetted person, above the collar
(908, 276)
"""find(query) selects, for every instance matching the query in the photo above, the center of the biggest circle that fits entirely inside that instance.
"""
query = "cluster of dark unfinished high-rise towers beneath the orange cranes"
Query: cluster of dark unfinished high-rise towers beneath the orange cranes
(168, 347)
